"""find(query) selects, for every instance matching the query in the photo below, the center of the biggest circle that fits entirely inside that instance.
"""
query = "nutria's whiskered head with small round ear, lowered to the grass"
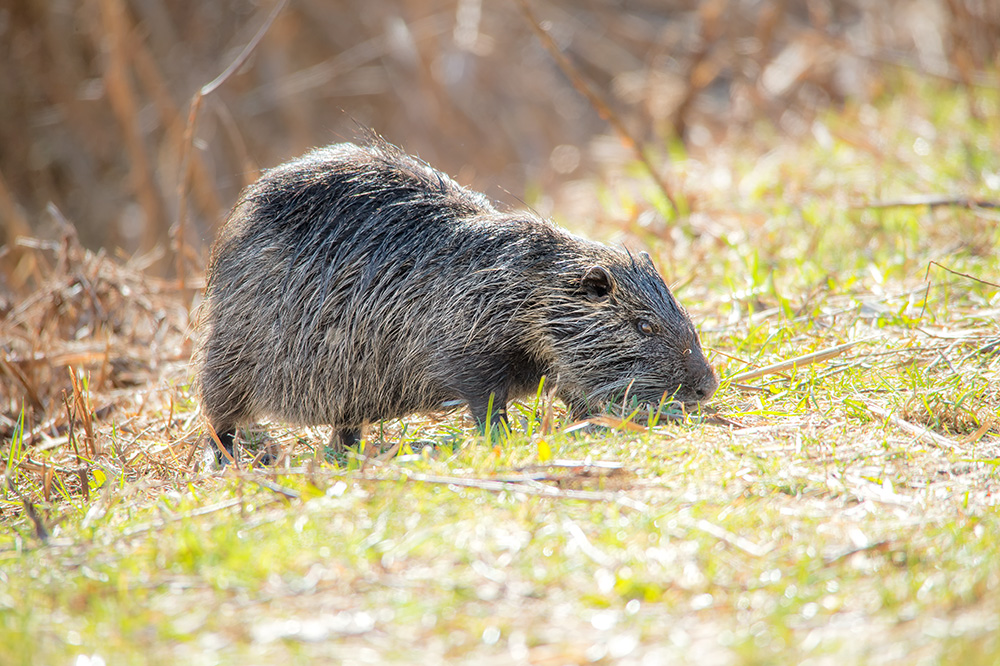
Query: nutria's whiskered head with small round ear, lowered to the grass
(617, 333)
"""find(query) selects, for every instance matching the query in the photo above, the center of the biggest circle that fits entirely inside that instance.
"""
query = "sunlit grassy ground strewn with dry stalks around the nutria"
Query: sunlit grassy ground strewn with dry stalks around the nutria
(840, 508)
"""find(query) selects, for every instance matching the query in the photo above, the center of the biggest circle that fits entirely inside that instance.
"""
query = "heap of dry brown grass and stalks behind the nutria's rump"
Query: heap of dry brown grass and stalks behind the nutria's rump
(97, 334)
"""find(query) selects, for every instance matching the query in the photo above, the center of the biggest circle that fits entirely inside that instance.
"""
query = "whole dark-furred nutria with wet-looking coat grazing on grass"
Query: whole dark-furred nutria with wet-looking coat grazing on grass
(357, 284)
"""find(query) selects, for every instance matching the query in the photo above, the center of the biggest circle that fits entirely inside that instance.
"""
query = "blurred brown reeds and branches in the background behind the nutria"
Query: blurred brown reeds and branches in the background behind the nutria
(95, 94)
